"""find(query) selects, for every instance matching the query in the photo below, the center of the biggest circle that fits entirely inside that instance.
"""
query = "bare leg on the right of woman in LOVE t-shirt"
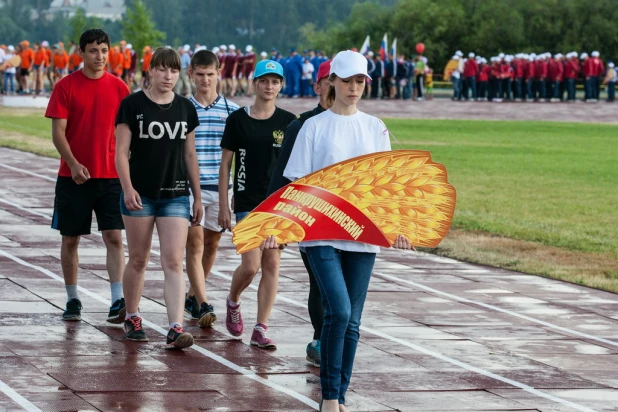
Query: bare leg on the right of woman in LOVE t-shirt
(172, 233)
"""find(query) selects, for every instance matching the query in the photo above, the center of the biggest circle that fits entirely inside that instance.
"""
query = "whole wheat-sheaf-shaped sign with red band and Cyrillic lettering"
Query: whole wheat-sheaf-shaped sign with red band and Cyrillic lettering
(369, 199)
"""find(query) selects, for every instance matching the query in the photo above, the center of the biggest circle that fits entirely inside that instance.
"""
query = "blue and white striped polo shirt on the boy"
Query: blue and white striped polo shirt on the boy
(208, 136)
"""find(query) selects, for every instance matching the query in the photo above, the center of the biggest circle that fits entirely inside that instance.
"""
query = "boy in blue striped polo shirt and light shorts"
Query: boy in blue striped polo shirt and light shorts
(202, 243)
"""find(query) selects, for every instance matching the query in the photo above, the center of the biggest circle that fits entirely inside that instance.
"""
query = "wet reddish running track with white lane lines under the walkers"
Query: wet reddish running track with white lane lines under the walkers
(438, 335)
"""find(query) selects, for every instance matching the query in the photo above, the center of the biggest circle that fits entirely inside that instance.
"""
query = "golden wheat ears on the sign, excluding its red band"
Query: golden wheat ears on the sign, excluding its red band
(402, 192)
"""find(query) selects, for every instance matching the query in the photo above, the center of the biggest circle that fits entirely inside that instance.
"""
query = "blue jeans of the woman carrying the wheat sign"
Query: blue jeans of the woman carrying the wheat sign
(343, 279)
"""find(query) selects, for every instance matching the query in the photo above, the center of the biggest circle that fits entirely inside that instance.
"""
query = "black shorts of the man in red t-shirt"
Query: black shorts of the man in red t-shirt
(74, 204)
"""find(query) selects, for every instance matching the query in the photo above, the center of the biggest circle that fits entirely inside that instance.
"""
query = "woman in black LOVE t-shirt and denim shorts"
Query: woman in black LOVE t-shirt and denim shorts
(155, 157)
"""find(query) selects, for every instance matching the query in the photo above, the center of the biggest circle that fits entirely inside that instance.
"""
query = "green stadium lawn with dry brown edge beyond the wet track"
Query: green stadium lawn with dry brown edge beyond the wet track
(538, 197)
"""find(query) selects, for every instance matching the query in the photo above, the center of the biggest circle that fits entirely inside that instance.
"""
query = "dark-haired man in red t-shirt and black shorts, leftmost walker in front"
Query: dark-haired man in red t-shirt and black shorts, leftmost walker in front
(83, 110)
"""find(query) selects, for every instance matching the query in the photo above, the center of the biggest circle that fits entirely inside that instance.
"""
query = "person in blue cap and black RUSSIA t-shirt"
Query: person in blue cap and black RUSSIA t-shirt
(253, 135)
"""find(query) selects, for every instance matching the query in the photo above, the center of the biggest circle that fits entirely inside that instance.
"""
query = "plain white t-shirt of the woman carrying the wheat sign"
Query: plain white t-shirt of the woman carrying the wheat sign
(329, 138)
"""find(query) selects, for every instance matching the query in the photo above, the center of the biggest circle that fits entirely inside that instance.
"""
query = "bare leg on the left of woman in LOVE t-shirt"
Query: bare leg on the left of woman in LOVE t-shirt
(139, 239)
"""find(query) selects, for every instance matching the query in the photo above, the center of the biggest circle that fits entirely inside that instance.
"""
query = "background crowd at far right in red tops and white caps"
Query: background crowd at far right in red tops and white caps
(530, 77)
